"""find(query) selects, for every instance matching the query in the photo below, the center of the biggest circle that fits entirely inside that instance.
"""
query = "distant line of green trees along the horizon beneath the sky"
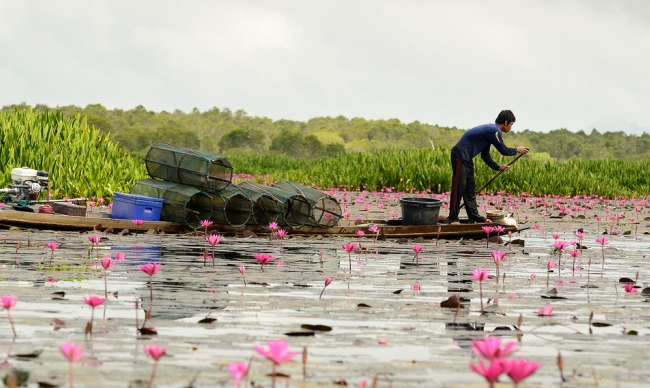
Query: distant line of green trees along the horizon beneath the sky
(224, 132)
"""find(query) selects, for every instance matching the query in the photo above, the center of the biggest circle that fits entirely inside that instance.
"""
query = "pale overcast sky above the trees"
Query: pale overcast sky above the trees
(555, 63)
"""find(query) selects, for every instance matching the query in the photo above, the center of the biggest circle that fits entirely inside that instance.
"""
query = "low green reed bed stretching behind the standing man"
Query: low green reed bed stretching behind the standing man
(426, 169)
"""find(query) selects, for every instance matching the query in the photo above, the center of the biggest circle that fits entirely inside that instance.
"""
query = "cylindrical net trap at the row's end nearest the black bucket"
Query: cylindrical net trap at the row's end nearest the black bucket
(326, 211)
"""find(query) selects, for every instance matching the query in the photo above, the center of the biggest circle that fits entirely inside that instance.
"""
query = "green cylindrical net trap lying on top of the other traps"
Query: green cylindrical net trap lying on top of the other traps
(189, 167)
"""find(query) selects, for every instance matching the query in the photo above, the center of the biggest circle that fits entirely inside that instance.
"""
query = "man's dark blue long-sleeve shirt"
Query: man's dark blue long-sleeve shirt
(478, 140)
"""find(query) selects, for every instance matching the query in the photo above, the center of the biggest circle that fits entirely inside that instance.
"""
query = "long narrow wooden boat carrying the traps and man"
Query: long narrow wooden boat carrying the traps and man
(347, 228)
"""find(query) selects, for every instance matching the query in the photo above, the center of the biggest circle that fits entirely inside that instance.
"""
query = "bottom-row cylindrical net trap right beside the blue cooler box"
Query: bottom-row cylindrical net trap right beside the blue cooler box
(182, 203)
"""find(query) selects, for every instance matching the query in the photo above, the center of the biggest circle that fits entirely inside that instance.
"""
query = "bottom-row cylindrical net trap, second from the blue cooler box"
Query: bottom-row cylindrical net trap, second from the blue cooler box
(231, 206)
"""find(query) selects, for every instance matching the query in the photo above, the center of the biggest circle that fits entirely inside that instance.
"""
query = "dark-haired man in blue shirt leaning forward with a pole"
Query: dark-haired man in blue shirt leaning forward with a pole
(473, 142)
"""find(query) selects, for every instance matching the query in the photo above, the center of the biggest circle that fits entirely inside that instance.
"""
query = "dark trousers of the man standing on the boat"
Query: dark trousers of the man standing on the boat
(463, 186)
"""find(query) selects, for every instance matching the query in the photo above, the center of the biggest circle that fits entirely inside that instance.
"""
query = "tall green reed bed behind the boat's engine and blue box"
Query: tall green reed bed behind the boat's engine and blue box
(81, 162)
